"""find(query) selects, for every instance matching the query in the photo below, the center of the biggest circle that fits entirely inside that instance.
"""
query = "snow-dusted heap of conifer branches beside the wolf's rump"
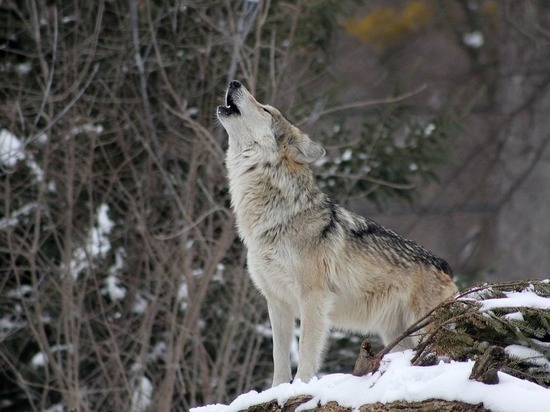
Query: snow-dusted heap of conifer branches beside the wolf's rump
(514, 316)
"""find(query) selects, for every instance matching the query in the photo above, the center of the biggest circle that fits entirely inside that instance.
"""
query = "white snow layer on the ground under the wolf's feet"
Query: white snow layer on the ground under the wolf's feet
(397, 380)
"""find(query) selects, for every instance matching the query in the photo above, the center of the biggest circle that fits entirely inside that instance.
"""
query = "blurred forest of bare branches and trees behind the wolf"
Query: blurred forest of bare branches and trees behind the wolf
(123, 285)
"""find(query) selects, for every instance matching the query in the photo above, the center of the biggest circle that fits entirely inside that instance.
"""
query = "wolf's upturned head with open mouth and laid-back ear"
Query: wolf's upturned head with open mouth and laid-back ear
(262, 131)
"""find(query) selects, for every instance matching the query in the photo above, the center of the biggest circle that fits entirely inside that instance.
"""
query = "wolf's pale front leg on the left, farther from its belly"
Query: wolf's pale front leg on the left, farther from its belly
(282, 325)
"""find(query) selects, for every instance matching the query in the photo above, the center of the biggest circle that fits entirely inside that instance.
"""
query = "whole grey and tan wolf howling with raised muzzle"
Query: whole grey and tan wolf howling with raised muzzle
(312, 259)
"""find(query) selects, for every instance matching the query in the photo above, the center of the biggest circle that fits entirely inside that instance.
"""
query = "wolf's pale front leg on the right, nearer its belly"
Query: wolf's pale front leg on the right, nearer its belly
(314, 326)
